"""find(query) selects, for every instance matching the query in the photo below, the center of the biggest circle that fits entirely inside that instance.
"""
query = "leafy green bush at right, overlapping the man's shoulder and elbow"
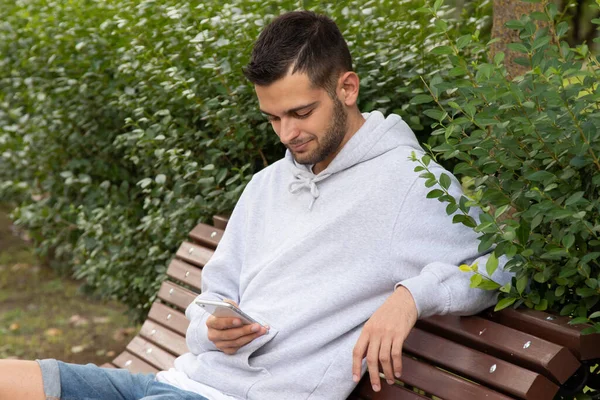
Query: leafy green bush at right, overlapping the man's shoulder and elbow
(529, 147)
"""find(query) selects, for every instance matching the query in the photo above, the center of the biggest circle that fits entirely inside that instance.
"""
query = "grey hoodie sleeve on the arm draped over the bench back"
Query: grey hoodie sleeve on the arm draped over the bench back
(430, 247)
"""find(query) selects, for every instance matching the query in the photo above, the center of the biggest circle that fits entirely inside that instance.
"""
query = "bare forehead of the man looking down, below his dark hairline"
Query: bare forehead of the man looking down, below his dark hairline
(291, 91)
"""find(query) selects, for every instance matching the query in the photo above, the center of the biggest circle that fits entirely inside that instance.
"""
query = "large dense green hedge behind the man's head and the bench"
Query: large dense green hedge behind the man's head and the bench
(124, 123)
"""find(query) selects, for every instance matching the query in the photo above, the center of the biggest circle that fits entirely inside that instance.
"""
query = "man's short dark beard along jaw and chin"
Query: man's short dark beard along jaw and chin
(331, 140)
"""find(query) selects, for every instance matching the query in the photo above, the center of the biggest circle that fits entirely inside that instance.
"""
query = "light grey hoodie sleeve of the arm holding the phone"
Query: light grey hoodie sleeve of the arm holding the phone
(220, 277)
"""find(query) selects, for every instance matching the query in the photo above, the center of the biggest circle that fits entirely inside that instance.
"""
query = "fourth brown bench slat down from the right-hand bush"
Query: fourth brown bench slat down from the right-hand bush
(444, 384)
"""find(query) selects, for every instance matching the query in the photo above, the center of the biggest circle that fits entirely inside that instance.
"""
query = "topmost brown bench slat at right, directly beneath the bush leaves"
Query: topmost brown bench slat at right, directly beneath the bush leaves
(552, 328)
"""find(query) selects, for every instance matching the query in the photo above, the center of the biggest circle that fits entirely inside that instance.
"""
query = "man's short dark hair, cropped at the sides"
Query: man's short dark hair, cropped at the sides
(311, 42)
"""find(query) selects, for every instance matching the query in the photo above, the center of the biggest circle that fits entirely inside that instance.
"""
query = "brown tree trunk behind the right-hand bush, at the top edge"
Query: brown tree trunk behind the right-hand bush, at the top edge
(504, 11)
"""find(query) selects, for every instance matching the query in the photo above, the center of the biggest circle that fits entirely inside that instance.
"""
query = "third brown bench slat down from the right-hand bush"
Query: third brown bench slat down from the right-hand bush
(483, 368)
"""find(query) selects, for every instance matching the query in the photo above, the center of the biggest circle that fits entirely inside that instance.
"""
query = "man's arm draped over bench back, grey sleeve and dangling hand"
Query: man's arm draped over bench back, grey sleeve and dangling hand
(431, 248)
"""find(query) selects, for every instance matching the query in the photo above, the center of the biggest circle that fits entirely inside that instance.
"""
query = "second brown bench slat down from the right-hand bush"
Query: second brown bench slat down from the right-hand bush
(546, 358)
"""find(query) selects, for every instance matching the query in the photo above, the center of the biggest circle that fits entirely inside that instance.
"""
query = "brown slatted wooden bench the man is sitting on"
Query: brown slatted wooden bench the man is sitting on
(511, 354)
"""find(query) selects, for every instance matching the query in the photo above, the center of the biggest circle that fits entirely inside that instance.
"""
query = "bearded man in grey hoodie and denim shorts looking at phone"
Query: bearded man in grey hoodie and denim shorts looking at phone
(335, 247)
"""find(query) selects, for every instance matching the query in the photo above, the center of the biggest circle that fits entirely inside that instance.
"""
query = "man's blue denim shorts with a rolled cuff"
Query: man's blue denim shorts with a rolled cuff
(88, 382)
